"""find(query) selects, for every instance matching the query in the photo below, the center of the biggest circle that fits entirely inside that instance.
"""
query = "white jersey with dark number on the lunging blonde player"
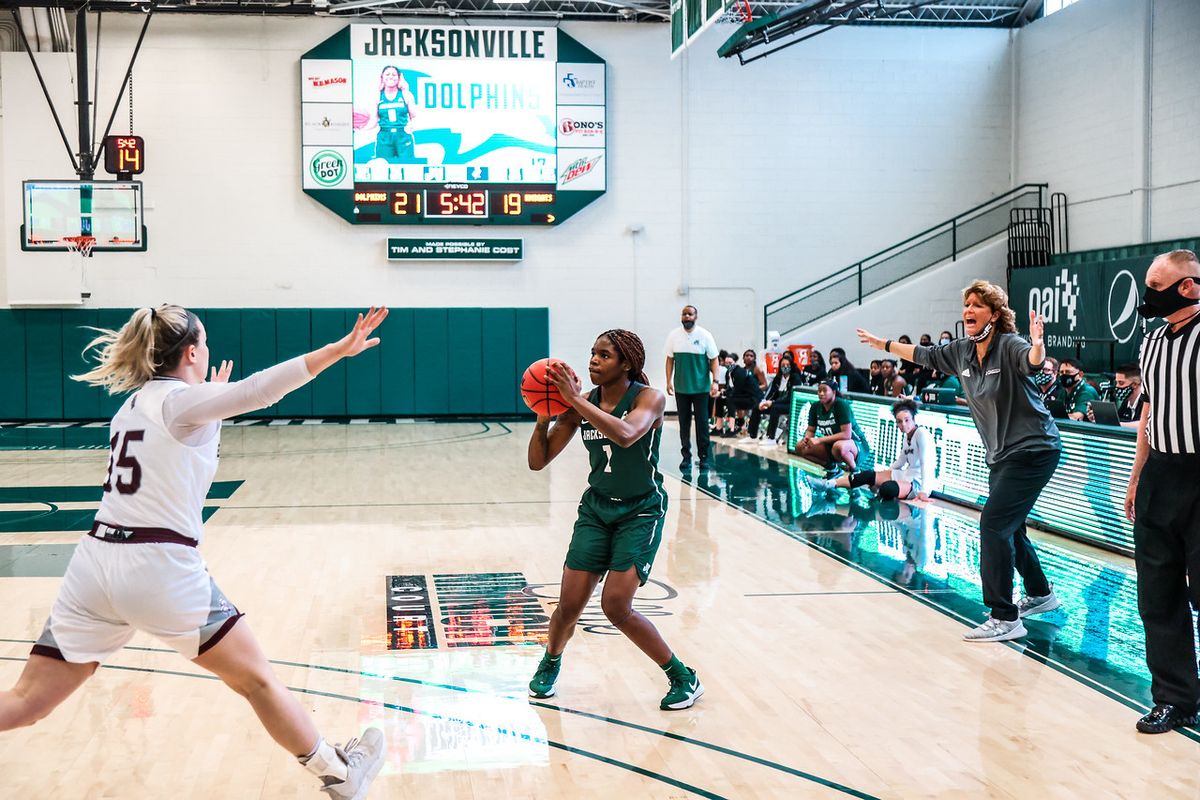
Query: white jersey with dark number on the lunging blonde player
(154, 480)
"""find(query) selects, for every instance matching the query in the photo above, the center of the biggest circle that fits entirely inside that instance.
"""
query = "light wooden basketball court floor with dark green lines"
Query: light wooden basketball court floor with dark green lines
(401, 576)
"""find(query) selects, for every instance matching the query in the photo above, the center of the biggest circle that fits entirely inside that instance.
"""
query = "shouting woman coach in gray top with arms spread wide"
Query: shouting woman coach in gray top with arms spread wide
(997, 366)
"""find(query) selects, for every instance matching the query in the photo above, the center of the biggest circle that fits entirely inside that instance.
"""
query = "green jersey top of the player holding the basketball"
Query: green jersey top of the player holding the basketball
(622, 473)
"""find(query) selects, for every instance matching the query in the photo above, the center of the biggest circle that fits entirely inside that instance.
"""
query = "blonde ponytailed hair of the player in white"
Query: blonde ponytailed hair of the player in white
(148, 345)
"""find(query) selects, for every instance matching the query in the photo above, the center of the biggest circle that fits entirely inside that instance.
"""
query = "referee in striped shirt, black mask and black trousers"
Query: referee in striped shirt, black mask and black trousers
(1163, 500)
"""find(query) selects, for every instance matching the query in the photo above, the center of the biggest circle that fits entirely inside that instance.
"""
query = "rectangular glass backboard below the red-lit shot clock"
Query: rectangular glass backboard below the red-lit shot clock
(56, 210)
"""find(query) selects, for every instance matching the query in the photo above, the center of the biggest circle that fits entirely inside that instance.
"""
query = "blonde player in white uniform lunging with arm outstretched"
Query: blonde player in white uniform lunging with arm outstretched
(139, 568)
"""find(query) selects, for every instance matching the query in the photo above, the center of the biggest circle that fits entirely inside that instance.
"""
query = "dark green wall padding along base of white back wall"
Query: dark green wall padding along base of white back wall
(431, 362)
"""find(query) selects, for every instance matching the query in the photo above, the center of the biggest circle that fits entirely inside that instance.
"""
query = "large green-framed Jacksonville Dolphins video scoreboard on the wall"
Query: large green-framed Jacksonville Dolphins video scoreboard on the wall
(429, 125)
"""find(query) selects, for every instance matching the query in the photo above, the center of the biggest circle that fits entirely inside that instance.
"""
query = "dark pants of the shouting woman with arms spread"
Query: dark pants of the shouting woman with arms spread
(1013, 488)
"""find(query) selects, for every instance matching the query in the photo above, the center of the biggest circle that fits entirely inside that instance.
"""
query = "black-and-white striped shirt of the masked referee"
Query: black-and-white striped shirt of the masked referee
(1171, 378)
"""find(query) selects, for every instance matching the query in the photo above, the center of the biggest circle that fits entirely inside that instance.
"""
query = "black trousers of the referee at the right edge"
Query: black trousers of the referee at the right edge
(1167, 554)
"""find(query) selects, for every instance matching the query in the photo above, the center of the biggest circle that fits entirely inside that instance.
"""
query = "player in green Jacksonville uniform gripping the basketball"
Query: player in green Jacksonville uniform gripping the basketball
(622, 513)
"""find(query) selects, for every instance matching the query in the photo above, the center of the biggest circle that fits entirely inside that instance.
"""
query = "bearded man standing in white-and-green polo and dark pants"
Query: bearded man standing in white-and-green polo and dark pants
(692, 378)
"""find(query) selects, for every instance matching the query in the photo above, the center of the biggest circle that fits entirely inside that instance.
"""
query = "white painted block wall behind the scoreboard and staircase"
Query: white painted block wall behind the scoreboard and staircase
(747, 183)
